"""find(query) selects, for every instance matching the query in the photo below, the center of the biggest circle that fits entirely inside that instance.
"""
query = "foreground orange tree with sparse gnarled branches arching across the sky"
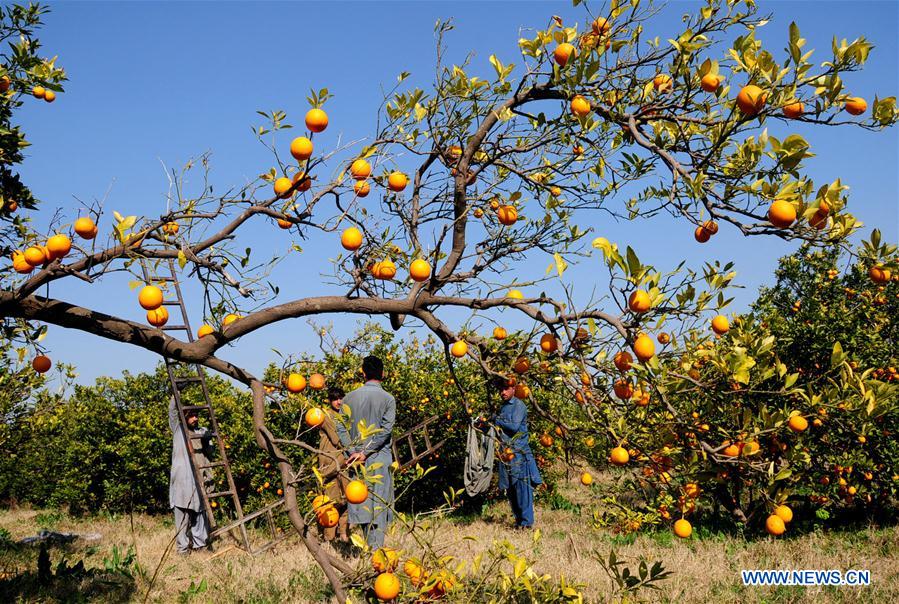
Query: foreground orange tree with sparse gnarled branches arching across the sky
(474, 175)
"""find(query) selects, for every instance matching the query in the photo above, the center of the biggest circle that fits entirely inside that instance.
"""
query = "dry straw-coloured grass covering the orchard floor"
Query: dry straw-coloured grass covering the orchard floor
(704, 569)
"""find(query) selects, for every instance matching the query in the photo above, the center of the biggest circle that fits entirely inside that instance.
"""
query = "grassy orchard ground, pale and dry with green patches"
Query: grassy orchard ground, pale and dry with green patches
(704, 569)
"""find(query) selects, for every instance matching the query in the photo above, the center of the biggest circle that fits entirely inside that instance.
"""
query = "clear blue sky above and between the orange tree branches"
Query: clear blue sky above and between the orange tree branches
(155, 84)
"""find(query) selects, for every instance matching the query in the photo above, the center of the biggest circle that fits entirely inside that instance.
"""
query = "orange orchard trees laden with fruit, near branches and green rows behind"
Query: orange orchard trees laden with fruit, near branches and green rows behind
(671, 411)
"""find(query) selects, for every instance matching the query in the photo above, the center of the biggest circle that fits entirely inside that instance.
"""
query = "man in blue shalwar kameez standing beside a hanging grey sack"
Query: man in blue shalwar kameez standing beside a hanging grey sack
(518, 476)
